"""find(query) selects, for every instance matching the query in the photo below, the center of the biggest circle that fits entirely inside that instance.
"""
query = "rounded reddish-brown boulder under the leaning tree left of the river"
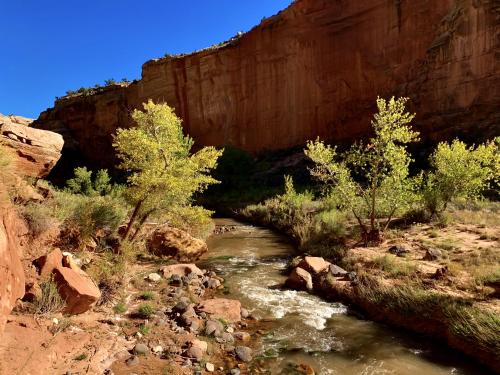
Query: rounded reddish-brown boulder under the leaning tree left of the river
(171, 242)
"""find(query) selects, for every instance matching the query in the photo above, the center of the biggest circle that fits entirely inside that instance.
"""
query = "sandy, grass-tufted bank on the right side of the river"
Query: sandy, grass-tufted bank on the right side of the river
(435, 287)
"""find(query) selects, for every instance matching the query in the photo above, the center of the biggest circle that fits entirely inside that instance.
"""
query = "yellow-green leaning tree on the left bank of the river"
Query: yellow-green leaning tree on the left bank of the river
(164, 174)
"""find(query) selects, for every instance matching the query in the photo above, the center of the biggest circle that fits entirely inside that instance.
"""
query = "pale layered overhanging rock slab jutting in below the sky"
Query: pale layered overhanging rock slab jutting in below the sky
(36, 151)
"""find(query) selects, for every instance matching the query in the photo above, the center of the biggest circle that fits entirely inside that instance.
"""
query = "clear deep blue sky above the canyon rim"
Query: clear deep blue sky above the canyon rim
(48, 47)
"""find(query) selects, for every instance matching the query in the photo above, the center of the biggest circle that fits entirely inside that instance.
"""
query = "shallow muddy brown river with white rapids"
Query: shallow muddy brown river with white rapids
(306, 329)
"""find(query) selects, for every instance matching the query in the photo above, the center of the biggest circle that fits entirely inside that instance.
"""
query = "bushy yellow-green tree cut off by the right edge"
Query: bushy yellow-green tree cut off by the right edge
(459, 171)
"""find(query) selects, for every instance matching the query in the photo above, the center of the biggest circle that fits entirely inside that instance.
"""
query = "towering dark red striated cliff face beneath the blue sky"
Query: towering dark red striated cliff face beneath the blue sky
(313, 70)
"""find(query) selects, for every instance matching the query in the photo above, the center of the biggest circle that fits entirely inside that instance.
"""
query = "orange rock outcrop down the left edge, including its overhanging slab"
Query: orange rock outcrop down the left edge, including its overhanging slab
(24, 144)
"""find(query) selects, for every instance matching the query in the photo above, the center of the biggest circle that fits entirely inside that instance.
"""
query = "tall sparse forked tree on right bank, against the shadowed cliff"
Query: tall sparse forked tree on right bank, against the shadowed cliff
(371, 179)
